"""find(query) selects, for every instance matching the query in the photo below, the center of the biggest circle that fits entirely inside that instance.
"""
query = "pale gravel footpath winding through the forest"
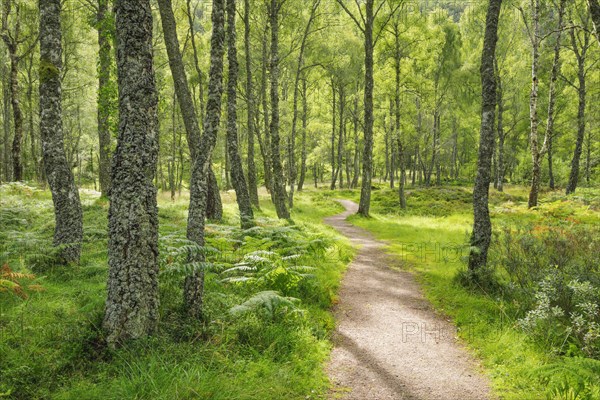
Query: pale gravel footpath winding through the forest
(389, 343)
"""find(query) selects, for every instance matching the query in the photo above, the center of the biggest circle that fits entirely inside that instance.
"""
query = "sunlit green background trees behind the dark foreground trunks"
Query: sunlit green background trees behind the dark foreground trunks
(434, 100)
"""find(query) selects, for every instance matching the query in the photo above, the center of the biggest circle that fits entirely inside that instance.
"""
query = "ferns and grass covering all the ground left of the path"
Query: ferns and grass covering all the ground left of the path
(266, 326)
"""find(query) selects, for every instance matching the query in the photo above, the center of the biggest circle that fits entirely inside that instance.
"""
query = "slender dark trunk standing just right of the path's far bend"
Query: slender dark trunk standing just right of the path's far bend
(365, 192)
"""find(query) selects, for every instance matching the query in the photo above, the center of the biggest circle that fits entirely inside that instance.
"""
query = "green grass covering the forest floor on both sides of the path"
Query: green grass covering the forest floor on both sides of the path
(51, 344)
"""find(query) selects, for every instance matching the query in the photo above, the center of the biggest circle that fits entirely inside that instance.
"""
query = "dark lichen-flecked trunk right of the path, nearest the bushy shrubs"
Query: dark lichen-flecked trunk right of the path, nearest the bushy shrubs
(482, 226)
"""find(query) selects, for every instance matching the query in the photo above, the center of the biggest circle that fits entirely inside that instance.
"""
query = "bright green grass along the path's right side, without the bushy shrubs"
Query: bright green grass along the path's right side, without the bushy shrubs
(430, 239)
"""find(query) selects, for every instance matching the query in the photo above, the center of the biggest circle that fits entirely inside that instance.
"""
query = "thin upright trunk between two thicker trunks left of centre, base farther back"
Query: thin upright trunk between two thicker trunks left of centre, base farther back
(252, 180)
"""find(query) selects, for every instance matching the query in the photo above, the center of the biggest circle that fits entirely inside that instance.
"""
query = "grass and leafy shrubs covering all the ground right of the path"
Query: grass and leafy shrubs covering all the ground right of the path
(536, 324)
